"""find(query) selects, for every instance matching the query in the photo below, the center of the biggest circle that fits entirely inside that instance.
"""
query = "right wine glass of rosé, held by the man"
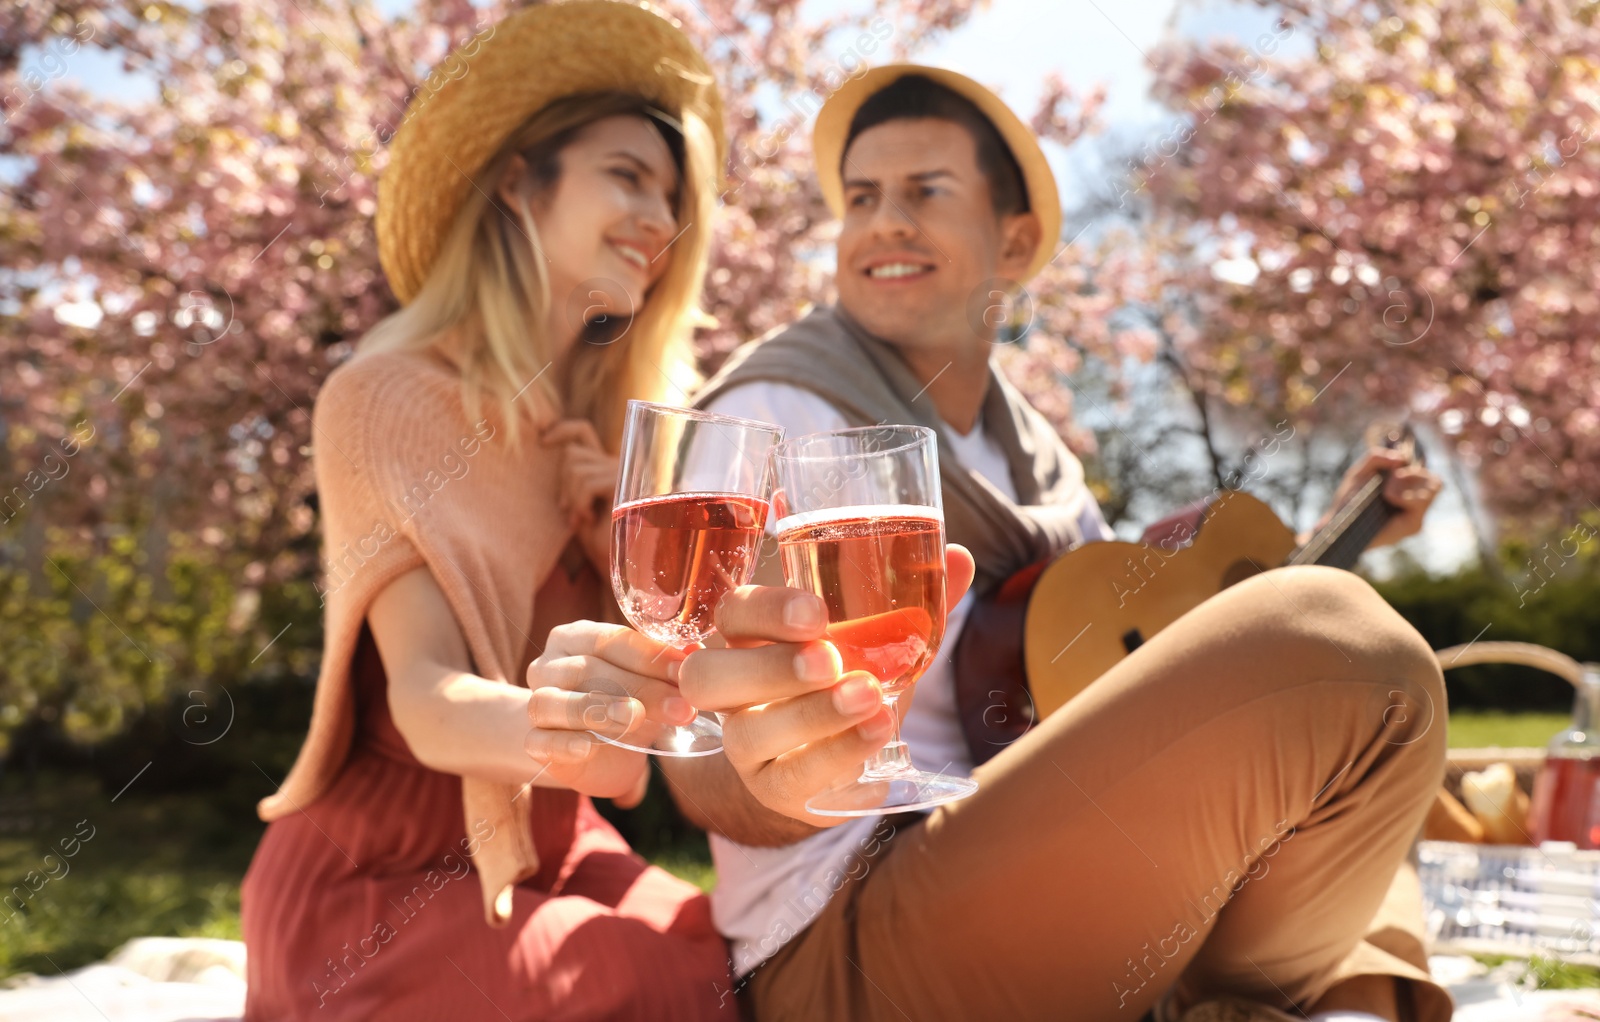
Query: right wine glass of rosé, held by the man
(862, 525)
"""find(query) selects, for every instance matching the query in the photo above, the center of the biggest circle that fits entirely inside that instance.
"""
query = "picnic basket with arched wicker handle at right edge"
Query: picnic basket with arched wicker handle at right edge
(1511, 900)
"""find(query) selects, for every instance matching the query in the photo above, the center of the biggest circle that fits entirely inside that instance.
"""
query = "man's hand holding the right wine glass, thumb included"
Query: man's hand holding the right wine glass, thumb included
(793, 725)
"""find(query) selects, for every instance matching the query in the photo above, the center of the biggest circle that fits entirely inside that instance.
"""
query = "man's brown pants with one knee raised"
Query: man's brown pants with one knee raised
(1230, 810)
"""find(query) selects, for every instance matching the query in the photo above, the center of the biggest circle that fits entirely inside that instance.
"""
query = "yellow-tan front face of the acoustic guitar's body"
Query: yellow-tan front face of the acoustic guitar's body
(1097, 604)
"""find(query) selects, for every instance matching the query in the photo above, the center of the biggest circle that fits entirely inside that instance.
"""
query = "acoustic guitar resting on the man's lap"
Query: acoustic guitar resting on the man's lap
(1055, 628)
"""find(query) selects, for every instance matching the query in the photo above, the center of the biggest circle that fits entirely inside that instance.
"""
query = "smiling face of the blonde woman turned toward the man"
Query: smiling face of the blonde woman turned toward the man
(607, 222)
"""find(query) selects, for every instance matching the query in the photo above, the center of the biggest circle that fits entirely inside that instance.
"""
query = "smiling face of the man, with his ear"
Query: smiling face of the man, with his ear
(921, 234)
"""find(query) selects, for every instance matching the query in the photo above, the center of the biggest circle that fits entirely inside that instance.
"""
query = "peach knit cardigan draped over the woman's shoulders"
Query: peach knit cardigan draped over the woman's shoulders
(406, 481)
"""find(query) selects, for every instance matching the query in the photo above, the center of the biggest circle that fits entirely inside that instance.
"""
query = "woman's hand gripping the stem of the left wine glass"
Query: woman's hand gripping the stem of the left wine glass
(607, 679)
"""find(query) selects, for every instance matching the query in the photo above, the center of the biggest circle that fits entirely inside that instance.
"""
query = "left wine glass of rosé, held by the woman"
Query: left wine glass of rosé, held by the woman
(686, 530)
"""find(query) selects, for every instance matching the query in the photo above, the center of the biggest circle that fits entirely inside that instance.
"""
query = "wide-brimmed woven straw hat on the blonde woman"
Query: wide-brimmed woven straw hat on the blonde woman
(489, 87)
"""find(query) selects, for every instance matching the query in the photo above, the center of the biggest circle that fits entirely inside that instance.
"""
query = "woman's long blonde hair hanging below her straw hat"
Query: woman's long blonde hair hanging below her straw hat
(489, 292)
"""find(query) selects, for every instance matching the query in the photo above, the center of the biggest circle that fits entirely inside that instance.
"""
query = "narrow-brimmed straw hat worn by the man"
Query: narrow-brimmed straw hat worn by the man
(833, 129)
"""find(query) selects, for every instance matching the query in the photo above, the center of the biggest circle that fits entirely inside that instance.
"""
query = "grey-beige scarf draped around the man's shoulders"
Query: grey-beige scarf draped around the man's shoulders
(871, 385)
